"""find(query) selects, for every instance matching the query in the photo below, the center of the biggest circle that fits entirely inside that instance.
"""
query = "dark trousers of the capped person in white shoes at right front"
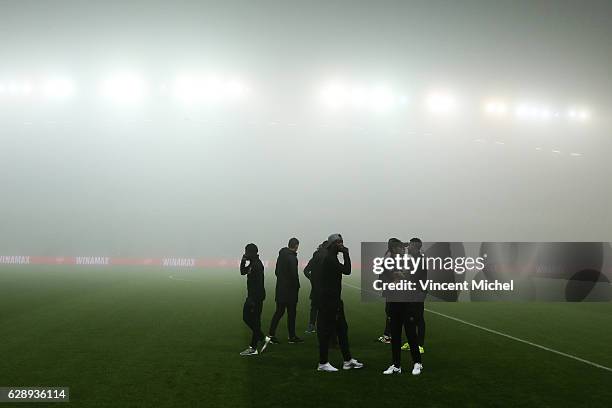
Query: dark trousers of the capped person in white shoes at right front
(403, 315)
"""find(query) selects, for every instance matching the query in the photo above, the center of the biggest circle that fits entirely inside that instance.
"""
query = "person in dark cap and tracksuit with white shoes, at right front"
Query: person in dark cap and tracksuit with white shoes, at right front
(402, 314)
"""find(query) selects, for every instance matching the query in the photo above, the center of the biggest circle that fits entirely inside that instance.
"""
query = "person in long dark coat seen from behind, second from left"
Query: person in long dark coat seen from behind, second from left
(287, 288)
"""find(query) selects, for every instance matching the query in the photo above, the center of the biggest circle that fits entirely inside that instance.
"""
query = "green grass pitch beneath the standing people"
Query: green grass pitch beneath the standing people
(133, 337)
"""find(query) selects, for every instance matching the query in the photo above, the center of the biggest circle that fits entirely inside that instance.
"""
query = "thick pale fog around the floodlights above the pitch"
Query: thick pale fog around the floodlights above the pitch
(87, 176)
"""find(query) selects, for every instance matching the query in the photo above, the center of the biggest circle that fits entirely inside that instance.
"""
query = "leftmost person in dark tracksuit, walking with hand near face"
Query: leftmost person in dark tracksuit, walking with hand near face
(253, 268)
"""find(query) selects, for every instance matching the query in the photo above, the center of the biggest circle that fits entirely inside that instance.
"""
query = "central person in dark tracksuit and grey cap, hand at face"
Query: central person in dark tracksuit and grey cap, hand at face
(328, 290)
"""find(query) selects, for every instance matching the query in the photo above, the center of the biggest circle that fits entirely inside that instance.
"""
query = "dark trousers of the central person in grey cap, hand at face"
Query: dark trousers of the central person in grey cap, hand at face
(331, 320)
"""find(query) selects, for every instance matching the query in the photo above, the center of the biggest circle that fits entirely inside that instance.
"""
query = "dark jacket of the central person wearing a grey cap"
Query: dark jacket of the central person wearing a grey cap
(329, 284)
